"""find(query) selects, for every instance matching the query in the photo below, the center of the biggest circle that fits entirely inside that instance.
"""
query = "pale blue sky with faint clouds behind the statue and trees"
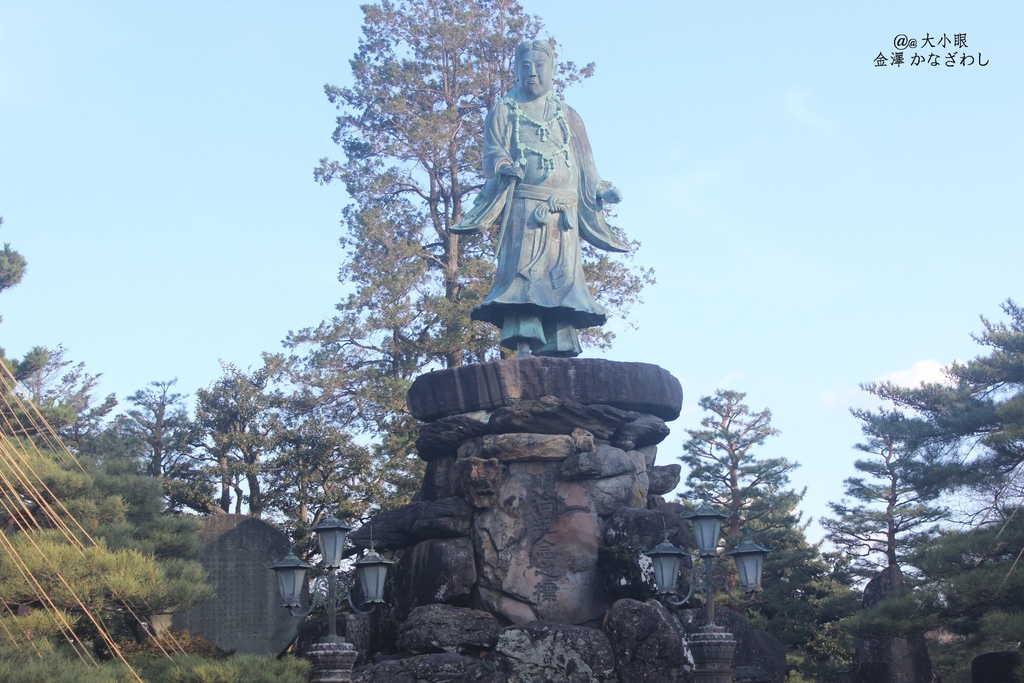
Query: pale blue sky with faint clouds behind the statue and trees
(815, 222)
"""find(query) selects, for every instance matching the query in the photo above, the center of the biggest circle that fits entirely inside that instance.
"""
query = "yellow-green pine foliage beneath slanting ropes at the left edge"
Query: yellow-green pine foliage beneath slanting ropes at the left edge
(87, 552)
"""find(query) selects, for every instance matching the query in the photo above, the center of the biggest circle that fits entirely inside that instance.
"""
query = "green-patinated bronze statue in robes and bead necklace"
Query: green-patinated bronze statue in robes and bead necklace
(543, 190)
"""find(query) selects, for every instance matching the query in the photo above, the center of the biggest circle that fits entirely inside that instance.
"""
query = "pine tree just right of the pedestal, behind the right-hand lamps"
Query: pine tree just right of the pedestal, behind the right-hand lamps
(806, 594)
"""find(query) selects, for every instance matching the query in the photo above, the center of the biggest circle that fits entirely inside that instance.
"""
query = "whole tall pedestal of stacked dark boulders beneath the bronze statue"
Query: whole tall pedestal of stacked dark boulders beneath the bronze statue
(540, 496)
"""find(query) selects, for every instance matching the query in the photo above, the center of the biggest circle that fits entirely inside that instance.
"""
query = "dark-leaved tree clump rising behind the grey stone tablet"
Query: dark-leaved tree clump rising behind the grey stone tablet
(275, 449)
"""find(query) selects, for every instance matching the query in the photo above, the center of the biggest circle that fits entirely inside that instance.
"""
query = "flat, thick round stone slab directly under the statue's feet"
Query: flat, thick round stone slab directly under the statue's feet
(631, 387)
